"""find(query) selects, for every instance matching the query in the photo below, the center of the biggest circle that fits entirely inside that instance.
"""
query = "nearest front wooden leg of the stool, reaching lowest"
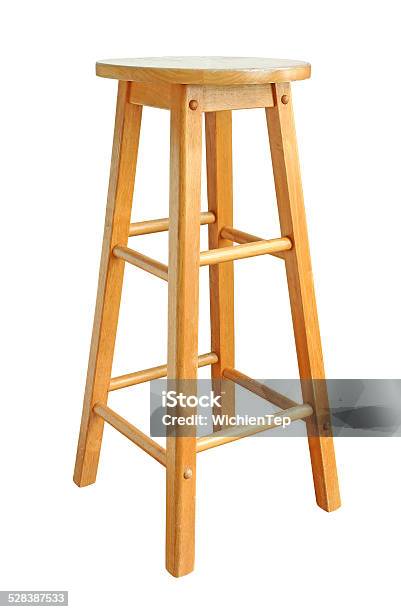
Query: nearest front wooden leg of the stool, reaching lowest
(184, 230)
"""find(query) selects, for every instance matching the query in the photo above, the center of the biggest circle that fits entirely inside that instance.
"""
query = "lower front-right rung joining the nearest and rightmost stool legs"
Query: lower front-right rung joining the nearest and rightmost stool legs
(236, 433)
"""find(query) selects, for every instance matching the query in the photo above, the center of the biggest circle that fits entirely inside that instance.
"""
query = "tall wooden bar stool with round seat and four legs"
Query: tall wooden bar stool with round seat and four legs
(189, 87)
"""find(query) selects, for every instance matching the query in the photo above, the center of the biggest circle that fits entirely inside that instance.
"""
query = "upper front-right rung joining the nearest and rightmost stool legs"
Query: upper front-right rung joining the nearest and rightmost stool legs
(241, 251)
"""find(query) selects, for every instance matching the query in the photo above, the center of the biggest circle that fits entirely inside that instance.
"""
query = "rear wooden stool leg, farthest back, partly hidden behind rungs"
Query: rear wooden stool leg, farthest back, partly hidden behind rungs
(220, 198)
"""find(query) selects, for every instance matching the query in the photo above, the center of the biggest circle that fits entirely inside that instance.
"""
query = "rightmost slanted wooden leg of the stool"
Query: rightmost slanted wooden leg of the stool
(287, 178)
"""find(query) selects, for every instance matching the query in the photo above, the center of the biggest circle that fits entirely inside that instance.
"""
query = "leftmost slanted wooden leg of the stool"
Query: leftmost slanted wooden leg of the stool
(118, 212)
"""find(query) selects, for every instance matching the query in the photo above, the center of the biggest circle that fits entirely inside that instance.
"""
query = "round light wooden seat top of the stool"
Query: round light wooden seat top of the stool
(204, 70)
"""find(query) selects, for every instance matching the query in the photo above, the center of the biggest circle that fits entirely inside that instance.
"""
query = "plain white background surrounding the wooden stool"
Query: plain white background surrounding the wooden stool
(261, 540)
